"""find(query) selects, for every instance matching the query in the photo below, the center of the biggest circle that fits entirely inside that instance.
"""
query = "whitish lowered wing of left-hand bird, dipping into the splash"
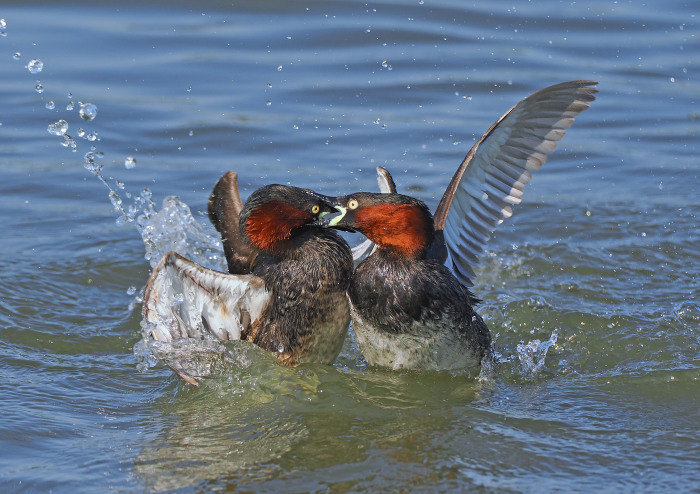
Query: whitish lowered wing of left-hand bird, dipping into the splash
(185, 300)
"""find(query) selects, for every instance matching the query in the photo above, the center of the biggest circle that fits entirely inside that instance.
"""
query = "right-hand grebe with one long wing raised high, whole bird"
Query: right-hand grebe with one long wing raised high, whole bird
(410, 300)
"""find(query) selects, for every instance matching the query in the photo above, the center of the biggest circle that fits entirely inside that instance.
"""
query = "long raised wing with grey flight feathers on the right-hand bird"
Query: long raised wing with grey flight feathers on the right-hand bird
(492, 176)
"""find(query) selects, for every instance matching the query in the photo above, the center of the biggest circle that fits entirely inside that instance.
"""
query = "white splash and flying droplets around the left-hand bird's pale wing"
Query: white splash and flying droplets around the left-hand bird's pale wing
(172, 228)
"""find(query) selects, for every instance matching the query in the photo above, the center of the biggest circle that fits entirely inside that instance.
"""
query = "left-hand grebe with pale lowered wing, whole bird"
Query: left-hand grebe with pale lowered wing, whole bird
(286, 290)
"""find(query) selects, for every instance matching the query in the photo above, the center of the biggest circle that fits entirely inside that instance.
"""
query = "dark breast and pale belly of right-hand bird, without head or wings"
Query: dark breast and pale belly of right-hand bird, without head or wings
(413, 314)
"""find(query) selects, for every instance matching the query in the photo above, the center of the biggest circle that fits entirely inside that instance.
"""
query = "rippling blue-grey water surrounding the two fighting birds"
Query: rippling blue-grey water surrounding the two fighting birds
(591, 289)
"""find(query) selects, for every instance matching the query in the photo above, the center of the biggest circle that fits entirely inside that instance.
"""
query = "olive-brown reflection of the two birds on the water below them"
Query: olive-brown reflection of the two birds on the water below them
(254, 421)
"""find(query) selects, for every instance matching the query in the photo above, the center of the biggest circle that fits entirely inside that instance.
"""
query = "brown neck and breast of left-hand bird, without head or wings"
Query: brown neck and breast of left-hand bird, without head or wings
(308, 317)
